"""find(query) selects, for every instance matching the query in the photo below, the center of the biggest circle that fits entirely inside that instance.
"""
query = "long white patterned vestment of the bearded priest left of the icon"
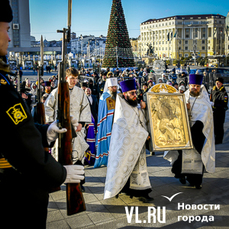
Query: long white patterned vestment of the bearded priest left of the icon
(127, 156)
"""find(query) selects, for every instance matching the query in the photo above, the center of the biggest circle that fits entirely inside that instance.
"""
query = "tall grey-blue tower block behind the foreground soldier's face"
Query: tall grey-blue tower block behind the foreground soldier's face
(19, 31)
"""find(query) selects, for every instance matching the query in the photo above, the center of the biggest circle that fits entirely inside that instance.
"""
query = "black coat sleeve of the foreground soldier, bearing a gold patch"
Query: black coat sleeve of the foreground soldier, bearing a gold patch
(19, 127)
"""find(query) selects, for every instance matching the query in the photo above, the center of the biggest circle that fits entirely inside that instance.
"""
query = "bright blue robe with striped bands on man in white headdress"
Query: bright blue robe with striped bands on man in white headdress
(104, 127)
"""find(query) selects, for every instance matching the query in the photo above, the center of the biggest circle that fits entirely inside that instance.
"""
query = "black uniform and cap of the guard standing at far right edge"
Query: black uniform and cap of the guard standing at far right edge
(220, 99)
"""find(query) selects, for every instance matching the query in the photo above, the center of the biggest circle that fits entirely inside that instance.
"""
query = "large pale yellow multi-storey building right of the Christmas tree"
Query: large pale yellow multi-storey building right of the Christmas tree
(184, 35)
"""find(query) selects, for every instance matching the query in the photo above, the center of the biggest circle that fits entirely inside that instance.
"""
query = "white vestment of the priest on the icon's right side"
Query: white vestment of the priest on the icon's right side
(200, 111)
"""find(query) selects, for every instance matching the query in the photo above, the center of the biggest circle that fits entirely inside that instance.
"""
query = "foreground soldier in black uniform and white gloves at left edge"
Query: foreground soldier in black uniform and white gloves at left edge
(27, 172)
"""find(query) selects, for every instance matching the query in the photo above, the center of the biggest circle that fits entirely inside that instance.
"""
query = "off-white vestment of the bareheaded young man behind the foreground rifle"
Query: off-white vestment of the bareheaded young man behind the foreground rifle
(79, 109)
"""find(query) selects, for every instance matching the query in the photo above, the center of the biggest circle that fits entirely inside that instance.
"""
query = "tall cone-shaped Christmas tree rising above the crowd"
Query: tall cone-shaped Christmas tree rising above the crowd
(118, 52)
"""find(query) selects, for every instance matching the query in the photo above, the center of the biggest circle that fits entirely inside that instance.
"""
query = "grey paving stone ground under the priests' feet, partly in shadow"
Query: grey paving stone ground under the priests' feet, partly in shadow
(111, 213)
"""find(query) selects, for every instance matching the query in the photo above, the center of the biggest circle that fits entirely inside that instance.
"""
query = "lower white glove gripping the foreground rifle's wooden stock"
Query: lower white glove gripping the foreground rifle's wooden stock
(74, 173)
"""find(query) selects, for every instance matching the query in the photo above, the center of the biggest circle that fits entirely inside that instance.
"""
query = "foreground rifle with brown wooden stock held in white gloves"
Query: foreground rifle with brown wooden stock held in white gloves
(75, 200)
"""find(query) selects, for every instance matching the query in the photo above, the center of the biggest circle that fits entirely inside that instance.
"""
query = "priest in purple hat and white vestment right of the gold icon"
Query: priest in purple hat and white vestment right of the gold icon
(189, 165)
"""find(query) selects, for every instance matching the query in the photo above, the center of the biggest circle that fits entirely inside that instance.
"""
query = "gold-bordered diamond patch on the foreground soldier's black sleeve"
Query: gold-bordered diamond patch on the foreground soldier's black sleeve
(17, 113)
